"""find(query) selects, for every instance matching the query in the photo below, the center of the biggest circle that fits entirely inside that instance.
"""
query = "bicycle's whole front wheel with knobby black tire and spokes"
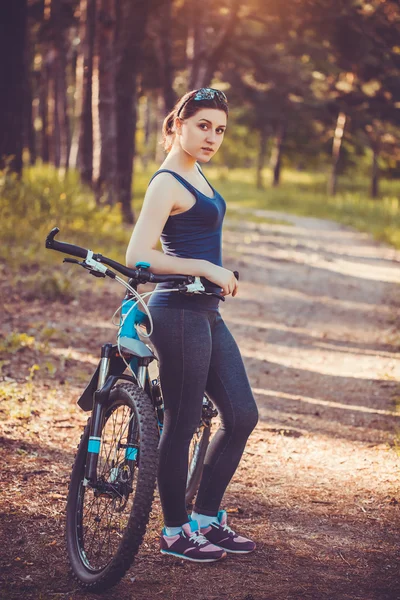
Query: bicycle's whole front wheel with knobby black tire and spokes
(106, 524)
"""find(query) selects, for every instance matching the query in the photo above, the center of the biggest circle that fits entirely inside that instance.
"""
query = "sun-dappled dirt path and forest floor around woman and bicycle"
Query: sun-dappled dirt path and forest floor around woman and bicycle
(317, 322)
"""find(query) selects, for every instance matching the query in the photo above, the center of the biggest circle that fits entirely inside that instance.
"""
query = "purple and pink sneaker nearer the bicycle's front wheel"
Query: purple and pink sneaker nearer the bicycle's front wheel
(190, 545)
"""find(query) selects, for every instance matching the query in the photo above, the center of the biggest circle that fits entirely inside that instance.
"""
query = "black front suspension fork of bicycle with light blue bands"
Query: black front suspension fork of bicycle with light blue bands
(100, 403)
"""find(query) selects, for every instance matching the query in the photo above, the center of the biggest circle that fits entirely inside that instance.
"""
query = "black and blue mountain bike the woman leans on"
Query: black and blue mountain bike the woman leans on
(111, 488)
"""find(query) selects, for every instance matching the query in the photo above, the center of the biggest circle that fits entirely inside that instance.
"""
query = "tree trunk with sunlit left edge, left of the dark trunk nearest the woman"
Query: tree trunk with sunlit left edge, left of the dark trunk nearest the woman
(104, 105)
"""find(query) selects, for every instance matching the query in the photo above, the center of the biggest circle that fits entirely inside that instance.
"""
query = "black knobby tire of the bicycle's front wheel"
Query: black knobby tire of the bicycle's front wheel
(125, 394)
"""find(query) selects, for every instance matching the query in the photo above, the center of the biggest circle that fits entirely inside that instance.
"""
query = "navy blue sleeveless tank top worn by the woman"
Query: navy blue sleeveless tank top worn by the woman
(195, 233)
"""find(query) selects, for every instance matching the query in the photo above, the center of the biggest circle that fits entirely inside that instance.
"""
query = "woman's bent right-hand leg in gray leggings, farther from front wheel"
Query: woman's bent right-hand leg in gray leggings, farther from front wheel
(229, 388)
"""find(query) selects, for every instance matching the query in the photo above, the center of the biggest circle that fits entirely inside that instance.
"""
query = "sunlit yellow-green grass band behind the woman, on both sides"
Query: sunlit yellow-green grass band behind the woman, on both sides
(42, 200)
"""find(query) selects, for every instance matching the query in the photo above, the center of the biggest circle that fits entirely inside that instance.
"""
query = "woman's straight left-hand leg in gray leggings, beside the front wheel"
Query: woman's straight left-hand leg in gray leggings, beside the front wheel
(182, 340)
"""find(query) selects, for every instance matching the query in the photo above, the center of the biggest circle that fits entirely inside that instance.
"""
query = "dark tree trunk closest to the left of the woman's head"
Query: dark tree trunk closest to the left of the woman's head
(131, 25)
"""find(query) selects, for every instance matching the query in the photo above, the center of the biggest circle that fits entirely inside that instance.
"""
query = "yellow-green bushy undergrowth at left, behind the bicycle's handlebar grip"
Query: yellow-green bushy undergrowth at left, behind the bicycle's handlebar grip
(43, 199)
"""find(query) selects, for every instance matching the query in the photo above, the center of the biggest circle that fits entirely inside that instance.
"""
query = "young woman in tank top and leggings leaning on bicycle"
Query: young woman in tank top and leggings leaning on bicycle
(195, 349)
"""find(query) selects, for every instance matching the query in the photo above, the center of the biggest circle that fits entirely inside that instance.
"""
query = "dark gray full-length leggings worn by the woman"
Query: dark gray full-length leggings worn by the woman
(197, 352)
